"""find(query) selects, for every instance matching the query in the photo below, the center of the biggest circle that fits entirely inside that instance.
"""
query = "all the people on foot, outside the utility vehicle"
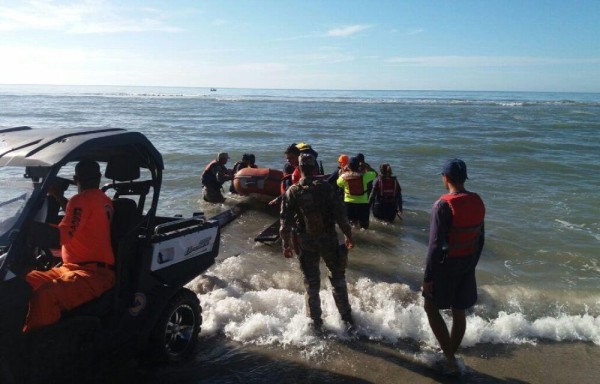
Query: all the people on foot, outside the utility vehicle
(311, 205)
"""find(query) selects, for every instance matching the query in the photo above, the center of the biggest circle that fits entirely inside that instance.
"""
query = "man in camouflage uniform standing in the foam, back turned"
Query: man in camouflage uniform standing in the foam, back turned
(313, 208)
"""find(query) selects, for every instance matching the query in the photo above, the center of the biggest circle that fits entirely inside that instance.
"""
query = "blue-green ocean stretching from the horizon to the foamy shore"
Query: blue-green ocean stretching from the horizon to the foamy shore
(533, 158)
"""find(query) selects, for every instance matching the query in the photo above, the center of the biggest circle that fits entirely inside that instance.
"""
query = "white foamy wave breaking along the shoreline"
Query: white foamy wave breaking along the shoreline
(268, 309)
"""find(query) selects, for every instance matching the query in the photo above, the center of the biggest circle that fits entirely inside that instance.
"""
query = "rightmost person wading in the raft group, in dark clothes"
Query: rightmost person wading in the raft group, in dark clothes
(386, 196)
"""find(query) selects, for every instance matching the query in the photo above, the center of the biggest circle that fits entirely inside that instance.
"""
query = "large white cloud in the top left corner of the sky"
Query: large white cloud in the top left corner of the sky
(85, 17)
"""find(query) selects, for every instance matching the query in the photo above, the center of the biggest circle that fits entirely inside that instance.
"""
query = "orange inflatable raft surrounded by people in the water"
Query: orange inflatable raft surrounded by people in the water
(264, 181)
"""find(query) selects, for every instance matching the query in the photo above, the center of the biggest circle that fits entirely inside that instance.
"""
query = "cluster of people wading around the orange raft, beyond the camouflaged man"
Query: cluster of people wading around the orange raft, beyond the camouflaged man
(361, 188)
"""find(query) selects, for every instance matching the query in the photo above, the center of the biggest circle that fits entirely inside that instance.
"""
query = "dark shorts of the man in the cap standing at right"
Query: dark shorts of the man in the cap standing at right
(454, 284)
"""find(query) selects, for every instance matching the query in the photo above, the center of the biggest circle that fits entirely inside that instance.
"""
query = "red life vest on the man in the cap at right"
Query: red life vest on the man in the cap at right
(468, 213)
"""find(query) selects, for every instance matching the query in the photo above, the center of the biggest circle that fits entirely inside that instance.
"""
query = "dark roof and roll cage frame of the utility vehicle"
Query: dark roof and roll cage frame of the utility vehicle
(43, 152)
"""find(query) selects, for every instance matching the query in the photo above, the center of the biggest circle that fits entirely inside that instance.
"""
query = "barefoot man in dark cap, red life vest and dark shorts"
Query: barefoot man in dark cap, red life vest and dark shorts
(456, 237)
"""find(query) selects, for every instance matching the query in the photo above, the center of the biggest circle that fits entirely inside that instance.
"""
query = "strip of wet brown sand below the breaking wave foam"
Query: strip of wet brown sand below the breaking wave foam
(222, 361)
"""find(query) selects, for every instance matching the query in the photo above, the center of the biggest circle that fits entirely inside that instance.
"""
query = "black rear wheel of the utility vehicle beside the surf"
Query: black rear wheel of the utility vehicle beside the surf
(175, 334)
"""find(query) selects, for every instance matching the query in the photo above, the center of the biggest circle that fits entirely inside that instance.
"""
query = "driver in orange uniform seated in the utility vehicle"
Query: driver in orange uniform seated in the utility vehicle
(87, 268)
